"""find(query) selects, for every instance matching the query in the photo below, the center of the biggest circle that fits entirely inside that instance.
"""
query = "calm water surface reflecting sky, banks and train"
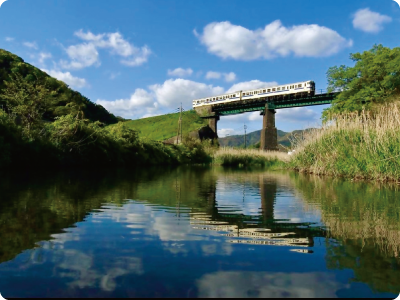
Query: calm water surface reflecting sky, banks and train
(197, 232)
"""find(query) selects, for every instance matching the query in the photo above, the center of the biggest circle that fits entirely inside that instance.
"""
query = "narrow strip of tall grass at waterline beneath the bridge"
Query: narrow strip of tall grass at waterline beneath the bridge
(244, 157)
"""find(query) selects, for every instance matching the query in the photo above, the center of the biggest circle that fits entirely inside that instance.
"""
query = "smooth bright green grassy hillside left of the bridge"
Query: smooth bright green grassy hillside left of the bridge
(163, 127)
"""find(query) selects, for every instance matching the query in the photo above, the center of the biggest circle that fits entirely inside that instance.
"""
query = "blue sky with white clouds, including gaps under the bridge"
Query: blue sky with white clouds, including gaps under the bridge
(143, 58)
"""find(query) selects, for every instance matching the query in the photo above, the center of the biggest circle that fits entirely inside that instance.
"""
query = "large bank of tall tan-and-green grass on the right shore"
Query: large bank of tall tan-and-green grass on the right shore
(364, 146)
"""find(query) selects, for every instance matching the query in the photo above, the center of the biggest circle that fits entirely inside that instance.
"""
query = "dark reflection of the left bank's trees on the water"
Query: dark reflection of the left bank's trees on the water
(35, 206)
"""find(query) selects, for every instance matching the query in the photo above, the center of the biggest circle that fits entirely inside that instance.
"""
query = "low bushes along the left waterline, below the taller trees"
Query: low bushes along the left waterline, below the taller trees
(70, 141)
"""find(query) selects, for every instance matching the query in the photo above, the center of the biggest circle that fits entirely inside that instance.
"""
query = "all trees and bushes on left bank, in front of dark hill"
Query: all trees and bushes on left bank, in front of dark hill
(30, 138)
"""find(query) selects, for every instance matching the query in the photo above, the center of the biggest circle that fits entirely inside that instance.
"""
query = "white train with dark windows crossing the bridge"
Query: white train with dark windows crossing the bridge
(305, 87)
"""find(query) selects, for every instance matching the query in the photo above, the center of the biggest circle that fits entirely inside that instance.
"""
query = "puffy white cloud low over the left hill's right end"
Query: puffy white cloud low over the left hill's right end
(140, 102)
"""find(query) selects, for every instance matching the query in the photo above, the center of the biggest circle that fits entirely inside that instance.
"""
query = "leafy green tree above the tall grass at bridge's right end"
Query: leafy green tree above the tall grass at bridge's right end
(374, 79)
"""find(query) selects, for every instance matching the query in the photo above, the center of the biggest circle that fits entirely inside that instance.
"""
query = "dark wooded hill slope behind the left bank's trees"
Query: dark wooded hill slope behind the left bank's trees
(58, 93)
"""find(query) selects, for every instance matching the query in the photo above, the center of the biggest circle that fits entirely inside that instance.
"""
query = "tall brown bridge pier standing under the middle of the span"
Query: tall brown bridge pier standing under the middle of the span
(269, 136)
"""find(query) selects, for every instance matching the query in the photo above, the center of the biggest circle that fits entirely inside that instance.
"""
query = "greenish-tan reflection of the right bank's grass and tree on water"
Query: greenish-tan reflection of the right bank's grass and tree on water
(364, 219)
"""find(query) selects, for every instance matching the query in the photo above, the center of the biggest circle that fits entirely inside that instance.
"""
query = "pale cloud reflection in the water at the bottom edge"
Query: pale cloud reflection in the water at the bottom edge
(267, 285)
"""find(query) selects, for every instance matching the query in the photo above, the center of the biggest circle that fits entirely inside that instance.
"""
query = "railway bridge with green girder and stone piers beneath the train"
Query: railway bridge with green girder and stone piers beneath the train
(267, 107)
